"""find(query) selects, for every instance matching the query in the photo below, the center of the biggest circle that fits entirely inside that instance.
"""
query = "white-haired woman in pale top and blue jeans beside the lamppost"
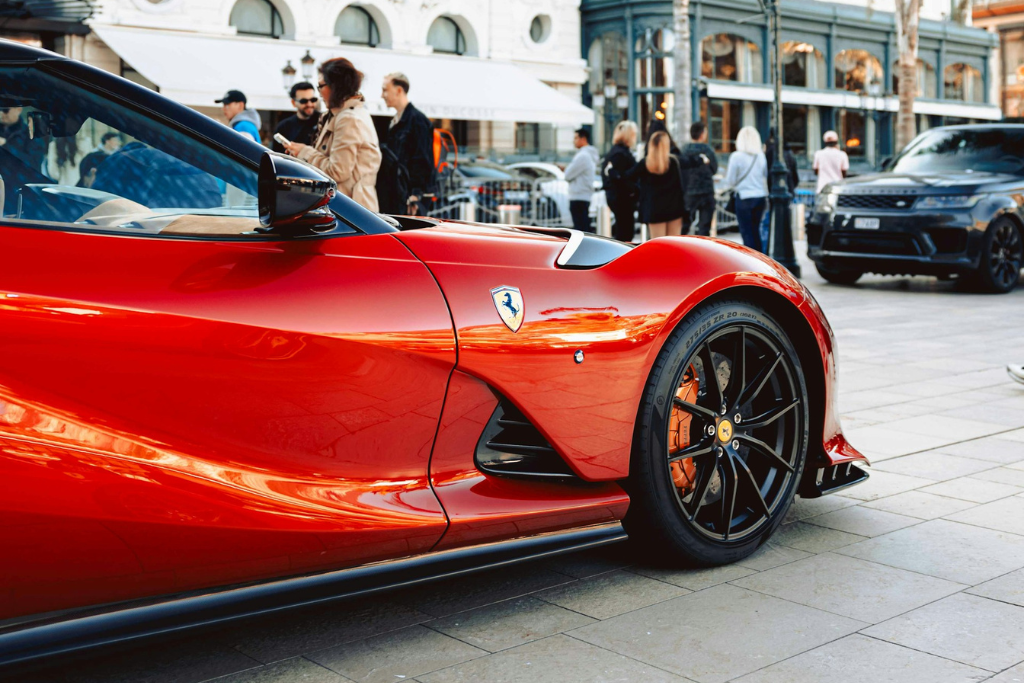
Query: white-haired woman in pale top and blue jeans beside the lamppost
(748, 177)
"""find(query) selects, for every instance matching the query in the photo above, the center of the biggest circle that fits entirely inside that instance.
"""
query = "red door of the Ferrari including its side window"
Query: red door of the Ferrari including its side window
(185, 404)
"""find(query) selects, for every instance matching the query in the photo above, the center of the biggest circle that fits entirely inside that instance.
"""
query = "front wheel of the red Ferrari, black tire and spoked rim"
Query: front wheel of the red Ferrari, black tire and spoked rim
(707, 514)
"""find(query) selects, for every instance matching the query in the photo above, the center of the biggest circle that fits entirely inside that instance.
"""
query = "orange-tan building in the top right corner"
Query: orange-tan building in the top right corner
(1006, 19)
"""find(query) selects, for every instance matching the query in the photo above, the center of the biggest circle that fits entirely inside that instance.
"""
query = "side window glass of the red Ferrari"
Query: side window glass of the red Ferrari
(72, 157)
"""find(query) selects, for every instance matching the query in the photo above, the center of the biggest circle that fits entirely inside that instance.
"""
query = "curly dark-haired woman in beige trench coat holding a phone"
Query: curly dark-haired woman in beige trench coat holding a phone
(347, 147)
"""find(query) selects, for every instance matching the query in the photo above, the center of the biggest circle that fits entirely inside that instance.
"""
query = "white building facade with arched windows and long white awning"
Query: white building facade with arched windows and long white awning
(505, 77)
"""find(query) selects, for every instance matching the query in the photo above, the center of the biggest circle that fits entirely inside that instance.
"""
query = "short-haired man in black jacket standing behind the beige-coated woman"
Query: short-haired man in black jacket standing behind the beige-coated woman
(411, 140)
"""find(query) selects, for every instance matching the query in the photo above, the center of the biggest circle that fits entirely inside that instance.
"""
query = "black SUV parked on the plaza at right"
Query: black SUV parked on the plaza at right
(951, 204)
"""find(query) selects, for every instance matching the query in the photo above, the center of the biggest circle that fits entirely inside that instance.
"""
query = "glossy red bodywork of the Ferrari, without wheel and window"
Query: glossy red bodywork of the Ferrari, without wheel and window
(180, 415)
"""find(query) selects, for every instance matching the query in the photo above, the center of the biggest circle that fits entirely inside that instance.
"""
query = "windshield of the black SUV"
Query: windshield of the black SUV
(979, 150)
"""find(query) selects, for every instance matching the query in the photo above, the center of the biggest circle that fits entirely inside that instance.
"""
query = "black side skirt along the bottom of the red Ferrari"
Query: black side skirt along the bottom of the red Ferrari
(35, 641)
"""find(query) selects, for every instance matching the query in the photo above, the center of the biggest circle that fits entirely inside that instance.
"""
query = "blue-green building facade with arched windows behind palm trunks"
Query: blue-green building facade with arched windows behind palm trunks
(839, 71)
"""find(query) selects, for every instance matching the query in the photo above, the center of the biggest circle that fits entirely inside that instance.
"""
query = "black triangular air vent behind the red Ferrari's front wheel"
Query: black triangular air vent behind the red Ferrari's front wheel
(511, 446)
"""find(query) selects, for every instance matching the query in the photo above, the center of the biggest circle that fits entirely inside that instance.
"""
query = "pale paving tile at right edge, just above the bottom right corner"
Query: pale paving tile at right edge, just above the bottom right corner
(974, 631)
